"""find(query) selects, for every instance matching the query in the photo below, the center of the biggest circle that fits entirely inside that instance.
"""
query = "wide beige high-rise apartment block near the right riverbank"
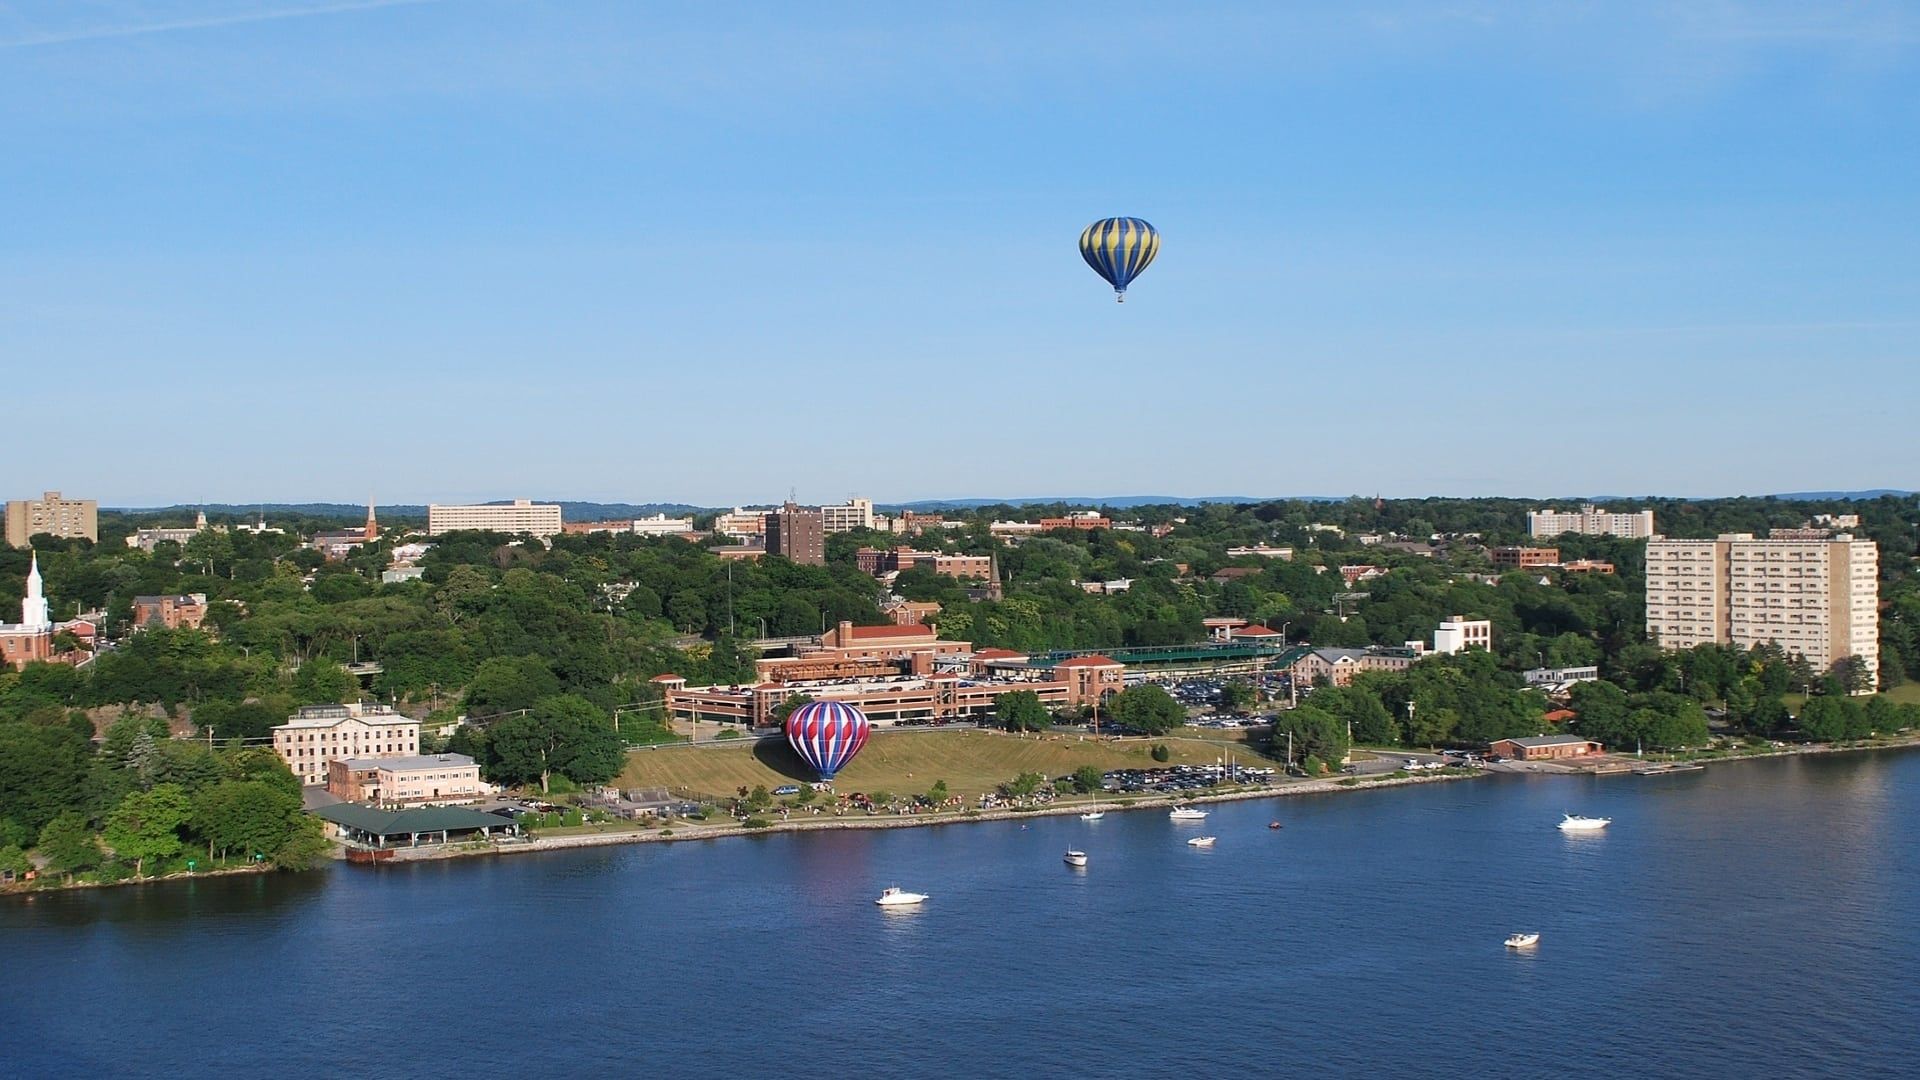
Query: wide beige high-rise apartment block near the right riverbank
(1817, 597)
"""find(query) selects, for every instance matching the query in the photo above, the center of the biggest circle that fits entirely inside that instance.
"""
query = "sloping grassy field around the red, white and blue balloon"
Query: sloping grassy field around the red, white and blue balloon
(969, 760)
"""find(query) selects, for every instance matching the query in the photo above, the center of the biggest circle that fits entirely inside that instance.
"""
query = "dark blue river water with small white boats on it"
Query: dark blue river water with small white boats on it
(1756, 920)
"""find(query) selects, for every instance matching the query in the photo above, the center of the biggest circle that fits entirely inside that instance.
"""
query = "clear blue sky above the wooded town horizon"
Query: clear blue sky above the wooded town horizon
(260, 251)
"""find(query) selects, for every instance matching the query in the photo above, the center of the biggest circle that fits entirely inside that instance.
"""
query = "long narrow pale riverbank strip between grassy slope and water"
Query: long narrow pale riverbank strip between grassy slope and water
(683, 833)
